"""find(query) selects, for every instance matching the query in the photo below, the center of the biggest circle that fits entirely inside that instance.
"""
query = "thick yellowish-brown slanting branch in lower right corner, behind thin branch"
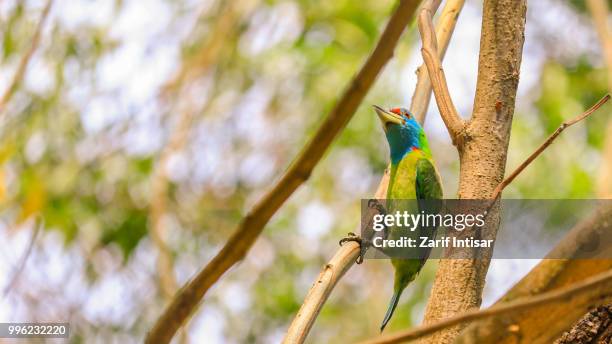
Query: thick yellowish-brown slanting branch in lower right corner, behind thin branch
(570, 261)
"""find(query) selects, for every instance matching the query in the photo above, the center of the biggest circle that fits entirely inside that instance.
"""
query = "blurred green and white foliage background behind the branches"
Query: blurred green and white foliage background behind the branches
(80, 143)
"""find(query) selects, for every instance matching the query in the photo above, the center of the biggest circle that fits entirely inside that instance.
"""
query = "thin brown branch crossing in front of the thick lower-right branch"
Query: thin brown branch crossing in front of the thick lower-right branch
(559, 295)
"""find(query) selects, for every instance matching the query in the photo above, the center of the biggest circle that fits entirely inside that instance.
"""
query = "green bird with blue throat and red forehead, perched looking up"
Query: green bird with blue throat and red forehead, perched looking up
(413, 176)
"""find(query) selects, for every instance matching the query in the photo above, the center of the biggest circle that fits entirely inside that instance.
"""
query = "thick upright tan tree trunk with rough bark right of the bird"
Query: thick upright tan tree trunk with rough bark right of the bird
(459, 282)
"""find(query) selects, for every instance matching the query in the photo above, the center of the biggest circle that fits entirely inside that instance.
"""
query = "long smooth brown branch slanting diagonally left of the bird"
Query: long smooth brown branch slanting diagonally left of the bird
(188, 298)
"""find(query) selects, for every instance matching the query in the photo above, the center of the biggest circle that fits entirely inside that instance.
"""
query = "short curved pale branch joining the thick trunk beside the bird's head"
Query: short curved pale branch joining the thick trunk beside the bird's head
(448, 112)
